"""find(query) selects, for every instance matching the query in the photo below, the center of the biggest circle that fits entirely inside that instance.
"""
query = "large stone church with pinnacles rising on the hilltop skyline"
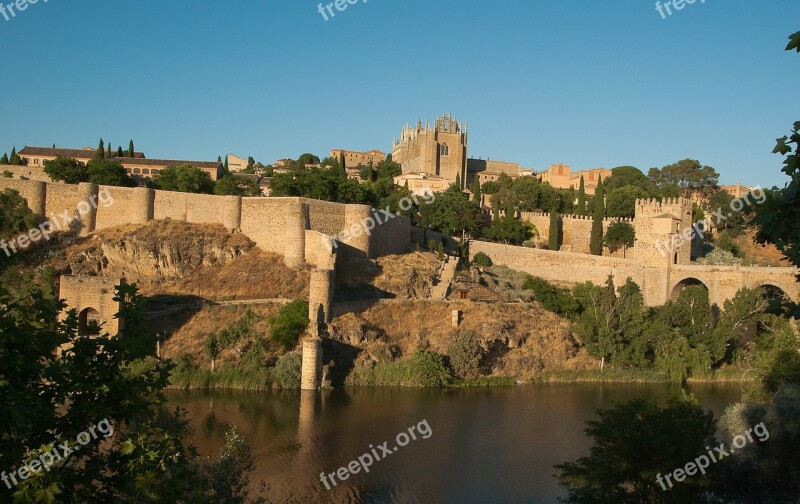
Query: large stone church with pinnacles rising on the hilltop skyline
(439, 150)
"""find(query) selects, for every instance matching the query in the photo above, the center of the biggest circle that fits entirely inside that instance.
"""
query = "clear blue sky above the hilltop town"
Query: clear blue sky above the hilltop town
(582, 82)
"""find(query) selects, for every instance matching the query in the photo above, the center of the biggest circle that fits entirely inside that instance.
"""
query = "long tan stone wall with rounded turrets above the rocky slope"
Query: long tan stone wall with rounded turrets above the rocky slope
(277, 225)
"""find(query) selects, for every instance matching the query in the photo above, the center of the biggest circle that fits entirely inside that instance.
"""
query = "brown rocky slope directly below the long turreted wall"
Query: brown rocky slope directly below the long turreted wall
(180, 259)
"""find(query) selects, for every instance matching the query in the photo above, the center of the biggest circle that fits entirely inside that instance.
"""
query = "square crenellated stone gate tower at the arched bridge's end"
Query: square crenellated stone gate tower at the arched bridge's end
(664, 232)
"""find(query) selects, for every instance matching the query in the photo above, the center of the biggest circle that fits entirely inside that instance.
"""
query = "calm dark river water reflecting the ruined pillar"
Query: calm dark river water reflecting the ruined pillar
(495, 445)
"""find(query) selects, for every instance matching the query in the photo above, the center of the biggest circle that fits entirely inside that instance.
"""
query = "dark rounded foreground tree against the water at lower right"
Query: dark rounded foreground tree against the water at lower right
(635, 445)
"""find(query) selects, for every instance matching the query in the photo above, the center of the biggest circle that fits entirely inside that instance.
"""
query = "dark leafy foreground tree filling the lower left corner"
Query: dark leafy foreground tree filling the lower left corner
(139, 454)
